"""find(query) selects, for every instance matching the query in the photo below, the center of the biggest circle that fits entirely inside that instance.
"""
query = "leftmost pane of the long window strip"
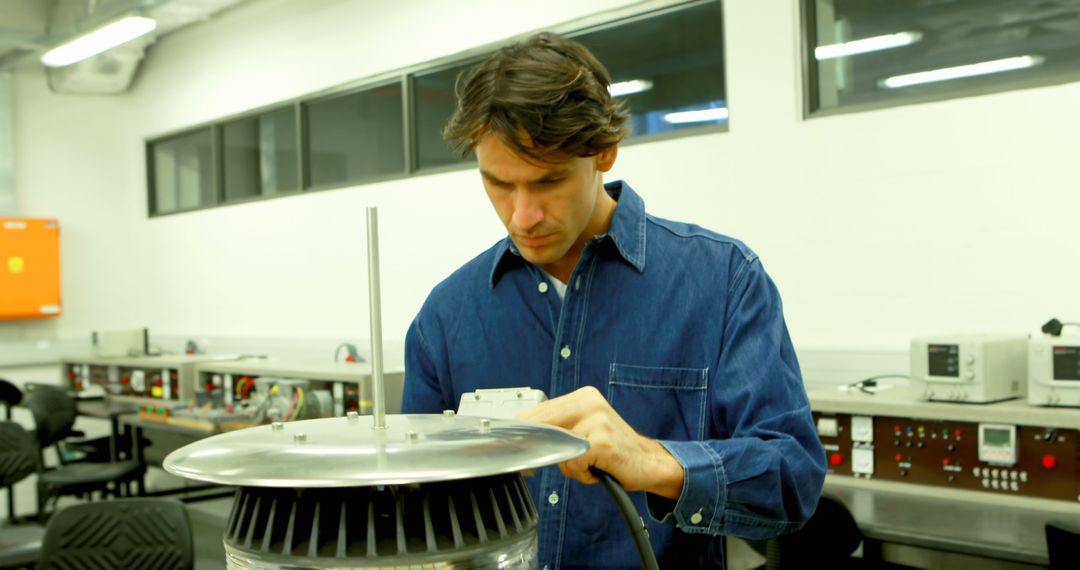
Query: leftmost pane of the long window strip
(183, 172)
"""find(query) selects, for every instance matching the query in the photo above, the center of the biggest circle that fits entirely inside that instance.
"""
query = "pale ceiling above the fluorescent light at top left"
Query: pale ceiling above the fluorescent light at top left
(29, 28)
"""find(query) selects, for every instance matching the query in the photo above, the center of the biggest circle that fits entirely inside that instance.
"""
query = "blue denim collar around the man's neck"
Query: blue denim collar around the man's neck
(627, 232)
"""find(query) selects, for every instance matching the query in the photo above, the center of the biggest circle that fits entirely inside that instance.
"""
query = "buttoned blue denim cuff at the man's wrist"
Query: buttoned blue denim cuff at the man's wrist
(700, 507)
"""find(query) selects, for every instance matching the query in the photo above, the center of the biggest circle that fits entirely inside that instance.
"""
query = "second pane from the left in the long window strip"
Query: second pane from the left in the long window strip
(261, 156)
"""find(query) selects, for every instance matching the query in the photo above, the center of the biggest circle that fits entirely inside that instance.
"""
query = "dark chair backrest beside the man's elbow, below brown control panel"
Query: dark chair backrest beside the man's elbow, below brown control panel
(828, 540)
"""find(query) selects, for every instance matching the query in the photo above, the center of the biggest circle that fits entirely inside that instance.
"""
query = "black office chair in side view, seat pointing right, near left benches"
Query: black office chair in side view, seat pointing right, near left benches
(55, 414)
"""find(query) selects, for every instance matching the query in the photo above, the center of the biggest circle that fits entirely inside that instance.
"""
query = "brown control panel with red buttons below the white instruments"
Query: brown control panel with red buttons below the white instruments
(1023, 460)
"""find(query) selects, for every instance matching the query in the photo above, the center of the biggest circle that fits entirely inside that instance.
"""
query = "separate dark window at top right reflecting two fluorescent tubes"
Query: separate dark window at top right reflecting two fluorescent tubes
(871, 53)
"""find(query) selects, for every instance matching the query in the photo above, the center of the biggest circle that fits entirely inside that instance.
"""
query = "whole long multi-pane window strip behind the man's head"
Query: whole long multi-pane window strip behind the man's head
(668, 65)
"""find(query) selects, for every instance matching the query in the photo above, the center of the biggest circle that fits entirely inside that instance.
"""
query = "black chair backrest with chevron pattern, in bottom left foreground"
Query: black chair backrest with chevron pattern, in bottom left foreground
(131, 534)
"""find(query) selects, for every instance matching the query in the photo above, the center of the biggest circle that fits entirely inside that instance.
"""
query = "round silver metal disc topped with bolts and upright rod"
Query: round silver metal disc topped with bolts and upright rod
(348, 452)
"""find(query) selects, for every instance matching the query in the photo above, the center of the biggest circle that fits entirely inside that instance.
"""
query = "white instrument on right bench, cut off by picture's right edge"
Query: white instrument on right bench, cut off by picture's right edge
(1054, 372)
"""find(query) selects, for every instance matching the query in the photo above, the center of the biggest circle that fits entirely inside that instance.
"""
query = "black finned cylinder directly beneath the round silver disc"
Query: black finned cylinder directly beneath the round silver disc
(483, 523)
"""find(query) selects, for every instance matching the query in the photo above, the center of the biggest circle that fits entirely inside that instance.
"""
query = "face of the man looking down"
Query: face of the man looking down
(550, 210)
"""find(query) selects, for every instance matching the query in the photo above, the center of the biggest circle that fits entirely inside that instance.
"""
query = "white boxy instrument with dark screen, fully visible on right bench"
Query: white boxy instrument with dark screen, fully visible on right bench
(971, 369)
